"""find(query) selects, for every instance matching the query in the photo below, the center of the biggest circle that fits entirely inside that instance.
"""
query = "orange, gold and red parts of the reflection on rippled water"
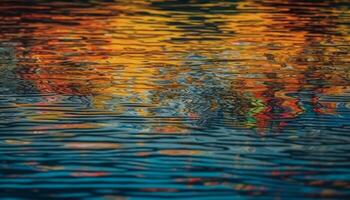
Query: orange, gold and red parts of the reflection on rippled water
(272, 53)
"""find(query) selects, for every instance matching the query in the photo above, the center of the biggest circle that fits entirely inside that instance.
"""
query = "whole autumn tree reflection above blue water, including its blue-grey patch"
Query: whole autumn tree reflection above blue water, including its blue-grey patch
(239, 64)
